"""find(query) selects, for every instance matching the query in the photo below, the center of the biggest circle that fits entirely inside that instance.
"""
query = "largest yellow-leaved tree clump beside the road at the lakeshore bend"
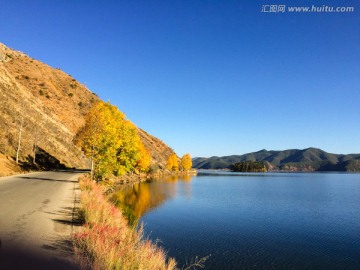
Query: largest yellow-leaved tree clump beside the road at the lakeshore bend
(111, 142)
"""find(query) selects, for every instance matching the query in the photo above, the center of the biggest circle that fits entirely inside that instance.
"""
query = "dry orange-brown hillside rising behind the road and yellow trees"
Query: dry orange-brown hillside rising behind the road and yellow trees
(51, 105)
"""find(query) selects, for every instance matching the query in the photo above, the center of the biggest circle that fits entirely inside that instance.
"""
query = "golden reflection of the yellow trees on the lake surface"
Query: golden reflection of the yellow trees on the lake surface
(136, 199)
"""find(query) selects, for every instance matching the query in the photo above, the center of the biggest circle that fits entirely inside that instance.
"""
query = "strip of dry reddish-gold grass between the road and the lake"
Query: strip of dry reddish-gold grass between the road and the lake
(107, 240)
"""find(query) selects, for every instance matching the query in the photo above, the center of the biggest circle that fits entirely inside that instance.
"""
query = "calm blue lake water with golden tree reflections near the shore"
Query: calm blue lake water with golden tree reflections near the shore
(253, 221)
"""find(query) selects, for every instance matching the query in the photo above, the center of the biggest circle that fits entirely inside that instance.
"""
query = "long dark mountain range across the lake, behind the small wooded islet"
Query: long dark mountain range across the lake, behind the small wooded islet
(310, 159)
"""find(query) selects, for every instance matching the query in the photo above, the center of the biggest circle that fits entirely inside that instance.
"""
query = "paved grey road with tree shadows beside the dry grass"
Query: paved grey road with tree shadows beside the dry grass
(37, 220)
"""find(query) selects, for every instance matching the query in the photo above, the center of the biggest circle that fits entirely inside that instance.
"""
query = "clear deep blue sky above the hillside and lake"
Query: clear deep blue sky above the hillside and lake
(207, 77)
